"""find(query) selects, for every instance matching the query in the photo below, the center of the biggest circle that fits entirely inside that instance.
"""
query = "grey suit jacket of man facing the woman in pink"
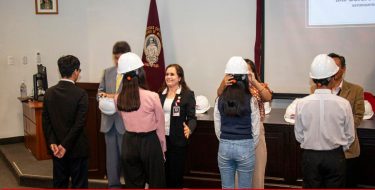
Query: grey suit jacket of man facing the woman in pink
(108, 85)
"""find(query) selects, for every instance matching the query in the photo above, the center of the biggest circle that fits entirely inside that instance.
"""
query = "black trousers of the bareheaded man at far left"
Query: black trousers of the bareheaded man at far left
(64, 168)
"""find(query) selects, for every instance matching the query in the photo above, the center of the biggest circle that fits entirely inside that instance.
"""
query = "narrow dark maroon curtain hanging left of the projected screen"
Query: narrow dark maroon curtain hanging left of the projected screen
(258, 48)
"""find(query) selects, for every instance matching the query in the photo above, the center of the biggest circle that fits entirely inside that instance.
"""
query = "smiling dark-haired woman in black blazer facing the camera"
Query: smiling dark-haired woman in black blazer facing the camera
(179, 110)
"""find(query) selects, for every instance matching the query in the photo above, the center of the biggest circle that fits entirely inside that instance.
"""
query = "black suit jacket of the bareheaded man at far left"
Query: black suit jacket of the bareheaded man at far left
(64, 114)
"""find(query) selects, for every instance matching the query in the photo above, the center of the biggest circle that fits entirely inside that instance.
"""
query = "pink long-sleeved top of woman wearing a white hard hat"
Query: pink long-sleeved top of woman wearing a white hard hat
(149, 116)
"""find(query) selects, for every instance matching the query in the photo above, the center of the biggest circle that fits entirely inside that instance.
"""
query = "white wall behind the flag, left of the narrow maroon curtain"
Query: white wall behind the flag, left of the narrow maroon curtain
(199, 35)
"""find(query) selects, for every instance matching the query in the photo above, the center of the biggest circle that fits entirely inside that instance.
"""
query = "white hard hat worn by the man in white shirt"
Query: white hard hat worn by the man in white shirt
(323, 67)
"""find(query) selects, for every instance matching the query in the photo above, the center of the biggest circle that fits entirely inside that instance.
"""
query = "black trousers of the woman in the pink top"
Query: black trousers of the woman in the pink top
(143, 160)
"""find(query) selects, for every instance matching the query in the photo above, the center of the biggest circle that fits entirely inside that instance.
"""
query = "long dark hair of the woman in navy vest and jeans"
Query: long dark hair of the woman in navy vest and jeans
(233, 99)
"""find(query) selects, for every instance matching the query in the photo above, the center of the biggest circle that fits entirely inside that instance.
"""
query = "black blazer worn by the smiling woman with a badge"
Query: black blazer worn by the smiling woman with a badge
(187, 115)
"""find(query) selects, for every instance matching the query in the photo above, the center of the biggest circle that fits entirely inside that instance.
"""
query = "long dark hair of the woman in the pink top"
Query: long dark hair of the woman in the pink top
(128, 99)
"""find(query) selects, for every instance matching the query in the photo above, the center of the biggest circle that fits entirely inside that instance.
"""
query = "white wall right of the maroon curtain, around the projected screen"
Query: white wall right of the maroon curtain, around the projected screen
(290, 47)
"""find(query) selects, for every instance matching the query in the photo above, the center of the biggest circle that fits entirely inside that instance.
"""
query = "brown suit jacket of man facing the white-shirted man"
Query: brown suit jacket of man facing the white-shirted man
(354, 94)
